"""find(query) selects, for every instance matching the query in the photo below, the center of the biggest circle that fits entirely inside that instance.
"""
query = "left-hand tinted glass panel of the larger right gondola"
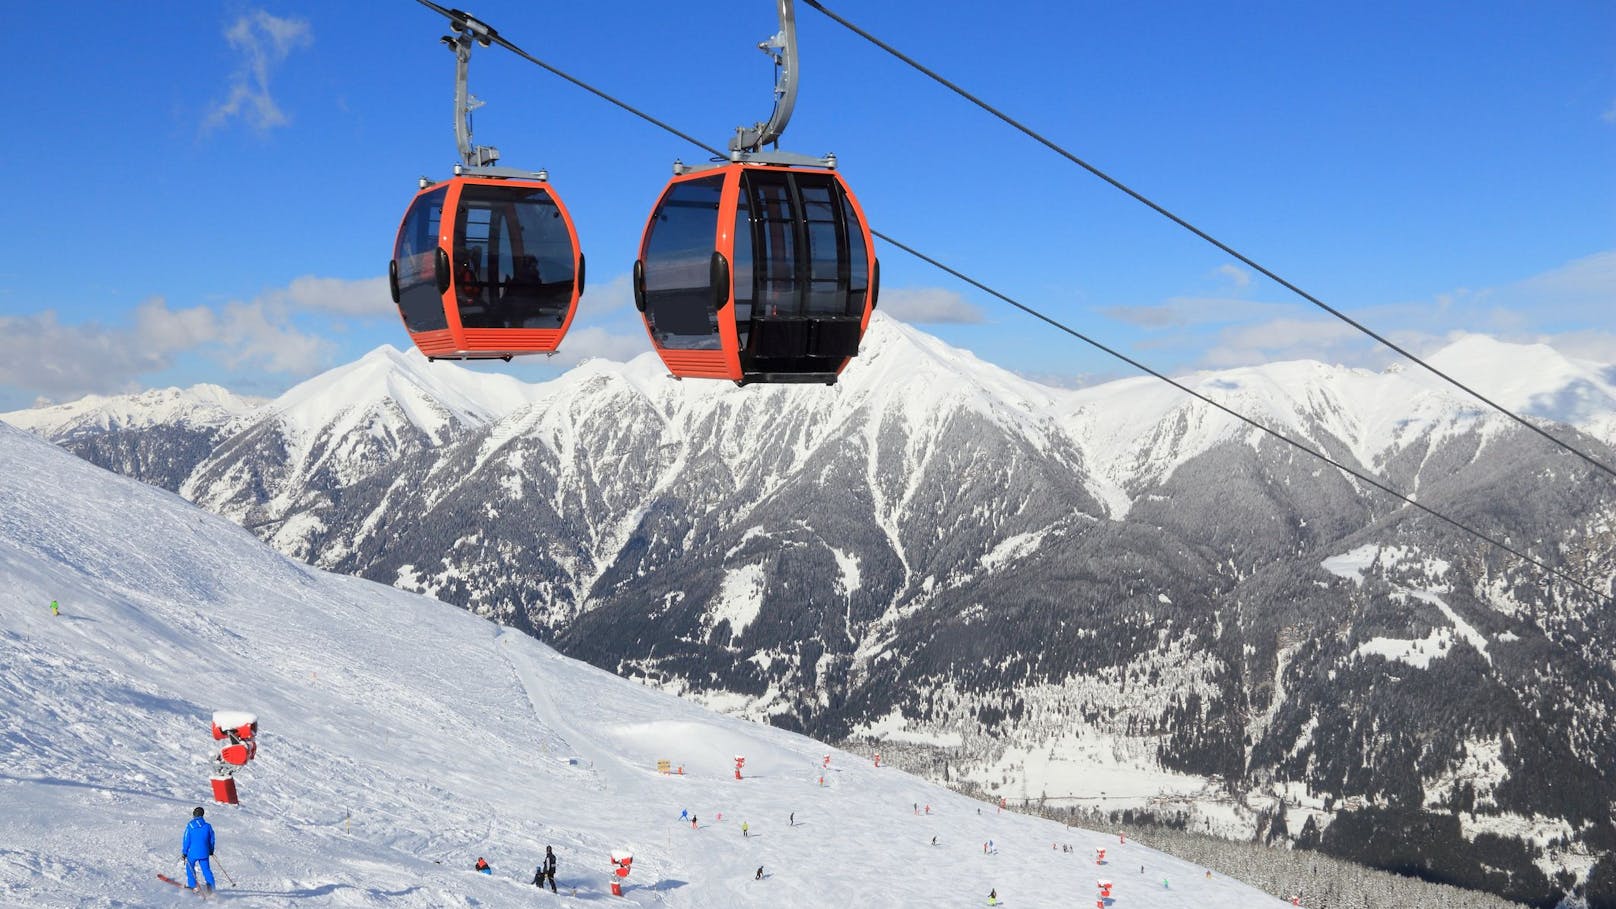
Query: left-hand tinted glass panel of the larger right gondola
(678, 266)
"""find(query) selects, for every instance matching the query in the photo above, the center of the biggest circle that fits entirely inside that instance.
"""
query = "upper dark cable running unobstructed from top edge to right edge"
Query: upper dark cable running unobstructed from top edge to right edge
(1205, 235)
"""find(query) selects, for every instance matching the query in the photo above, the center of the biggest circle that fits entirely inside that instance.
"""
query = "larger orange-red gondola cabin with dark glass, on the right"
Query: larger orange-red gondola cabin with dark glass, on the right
(757, 274)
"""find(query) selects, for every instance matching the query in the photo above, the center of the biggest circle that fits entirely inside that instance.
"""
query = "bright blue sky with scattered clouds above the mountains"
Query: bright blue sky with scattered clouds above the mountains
(213, 197)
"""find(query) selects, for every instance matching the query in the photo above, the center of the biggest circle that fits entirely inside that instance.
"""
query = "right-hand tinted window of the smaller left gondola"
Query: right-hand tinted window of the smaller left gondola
(513, 258)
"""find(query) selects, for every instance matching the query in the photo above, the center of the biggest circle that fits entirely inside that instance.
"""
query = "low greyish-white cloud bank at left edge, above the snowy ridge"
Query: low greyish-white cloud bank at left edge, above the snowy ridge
(64, 361)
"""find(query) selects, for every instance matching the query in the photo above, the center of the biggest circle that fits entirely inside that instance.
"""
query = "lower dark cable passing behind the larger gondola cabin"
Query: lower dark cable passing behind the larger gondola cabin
(1481, 536)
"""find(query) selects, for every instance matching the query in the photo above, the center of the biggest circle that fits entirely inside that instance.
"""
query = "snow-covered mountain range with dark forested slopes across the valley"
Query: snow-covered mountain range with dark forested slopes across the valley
(1114, 596)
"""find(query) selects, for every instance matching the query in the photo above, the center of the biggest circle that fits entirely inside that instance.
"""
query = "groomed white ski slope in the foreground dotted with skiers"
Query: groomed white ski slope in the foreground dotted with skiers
(403, 738)
